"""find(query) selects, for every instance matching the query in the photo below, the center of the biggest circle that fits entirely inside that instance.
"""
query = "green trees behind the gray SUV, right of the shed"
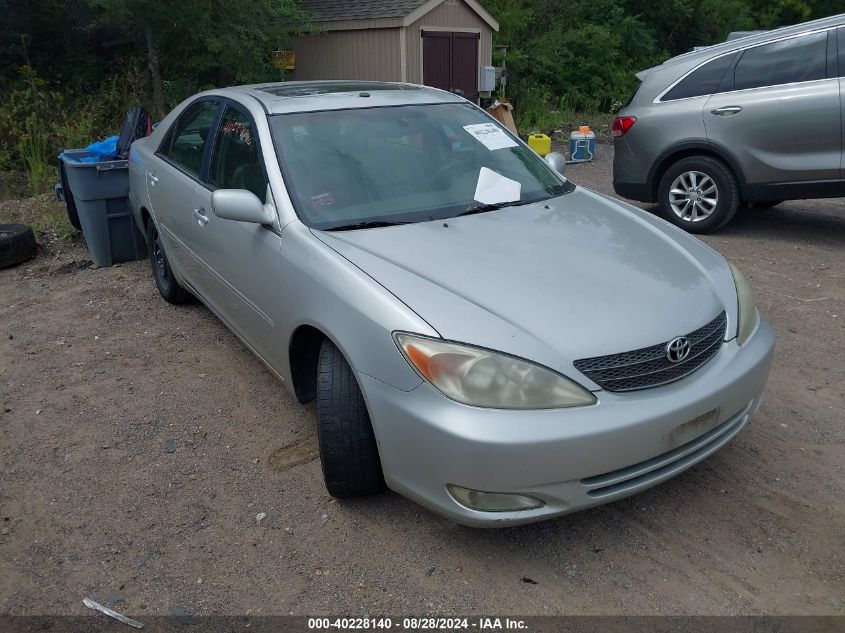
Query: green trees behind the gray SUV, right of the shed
(583, 54)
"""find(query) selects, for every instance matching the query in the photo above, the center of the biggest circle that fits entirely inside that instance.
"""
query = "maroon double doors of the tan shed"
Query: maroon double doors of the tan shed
(450, 62)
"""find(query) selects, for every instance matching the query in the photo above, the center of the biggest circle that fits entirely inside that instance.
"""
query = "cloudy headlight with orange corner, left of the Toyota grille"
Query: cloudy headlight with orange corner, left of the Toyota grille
(482, 378)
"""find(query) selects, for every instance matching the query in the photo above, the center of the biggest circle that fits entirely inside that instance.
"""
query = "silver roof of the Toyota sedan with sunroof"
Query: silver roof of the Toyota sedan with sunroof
(308, 96)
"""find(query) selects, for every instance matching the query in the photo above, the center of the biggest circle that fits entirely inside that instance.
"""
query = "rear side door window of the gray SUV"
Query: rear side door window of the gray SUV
(794, 60)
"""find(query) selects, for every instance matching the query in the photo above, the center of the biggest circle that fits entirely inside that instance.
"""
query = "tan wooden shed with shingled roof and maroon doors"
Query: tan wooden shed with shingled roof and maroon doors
(440, 43)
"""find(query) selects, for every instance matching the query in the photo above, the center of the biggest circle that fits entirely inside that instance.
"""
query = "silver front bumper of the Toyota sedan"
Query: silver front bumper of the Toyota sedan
(568, 458)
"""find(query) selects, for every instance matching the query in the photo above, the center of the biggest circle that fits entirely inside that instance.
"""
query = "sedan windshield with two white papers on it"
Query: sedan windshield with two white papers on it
(399, 164)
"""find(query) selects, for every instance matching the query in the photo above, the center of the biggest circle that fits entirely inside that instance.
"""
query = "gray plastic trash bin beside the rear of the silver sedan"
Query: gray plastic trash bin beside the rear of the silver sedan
(100, 191)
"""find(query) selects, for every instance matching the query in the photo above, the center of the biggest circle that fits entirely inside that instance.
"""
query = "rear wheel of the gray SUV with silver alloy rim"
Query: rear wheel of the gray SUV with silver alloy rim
(699, 194)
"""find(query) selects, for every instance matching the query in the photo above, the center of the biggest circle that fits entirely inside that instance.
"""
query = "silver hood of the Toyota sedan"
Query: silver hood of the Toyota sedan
(574, 277)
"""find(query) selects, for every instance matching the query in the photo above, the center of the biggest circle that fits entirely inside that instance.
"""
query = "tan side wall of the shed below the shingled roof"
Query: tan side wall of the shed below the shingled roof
(368, 54)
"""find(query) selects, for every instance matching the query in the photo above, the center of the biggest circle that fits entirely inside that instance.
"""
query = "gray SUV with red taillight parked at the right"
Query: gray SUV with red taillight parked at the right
(752, 121)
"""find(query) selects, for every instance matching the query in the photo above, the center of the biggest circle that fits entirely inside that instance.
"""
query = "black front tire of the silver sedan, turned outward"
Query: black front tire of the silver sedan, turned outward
(348, 449)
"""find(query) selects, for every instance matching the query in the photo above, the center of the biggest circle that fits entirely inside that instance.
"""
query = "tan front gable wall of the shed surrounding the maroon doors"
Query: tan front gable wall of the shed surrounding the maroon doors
(450, 14)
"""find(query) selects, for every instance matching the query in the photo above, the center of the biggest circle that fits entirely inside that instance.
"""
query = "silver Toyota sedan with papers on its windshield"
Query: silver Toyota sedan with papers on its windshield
(480, 334)
